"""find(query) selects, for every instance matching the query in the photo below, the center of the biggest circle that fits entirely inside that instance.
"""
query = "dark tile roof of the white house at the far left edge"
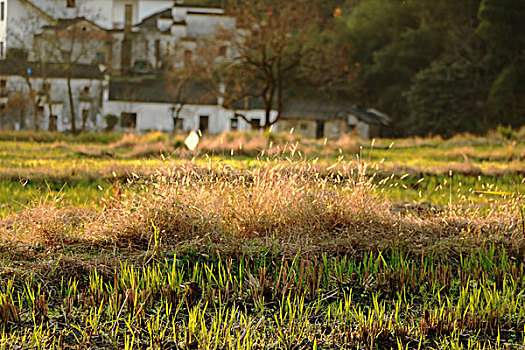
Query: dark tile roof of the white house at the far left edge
(50, 70)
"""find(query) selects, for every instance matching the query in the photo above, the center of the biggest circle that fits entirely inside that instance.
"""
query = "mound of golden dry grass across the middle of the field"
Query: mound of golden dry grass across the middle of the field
(288, 207)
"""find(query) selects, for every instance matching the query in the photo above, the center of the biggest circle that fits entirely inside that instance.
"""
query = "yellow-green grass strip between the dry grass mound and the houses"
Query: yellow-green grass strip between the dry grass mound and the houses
(426, 170)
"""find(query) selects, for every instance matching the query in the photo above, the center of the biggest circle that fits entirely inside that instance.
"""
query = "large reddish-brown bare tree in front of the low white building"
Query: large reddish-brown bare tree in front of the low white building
(277, 44)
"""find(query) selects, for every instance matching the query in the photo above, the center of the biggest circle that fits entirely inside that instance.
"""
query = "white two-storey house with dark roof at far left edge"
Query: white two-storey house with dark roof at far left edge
(48, 107)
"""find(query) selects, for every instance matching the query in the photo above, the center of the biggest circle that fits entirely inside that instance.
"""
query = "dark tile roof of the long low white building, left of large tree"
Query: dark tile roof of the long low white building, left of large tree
(157, 90)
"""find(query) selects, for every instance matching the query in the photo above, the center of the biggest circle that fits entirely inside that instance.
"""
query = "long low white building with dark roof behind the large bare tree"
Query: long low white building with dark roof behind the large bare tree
(147, 105)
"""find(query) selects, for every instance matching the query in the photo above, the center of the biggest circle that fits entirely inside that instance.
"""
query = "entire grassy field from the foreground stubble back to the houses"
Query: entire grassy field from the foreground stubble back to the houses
(261, 242)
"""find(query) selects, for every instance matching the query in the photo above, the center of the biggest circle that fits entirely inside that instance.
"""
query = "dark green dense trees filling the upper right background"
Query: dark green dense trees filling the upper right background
(438, 66)
